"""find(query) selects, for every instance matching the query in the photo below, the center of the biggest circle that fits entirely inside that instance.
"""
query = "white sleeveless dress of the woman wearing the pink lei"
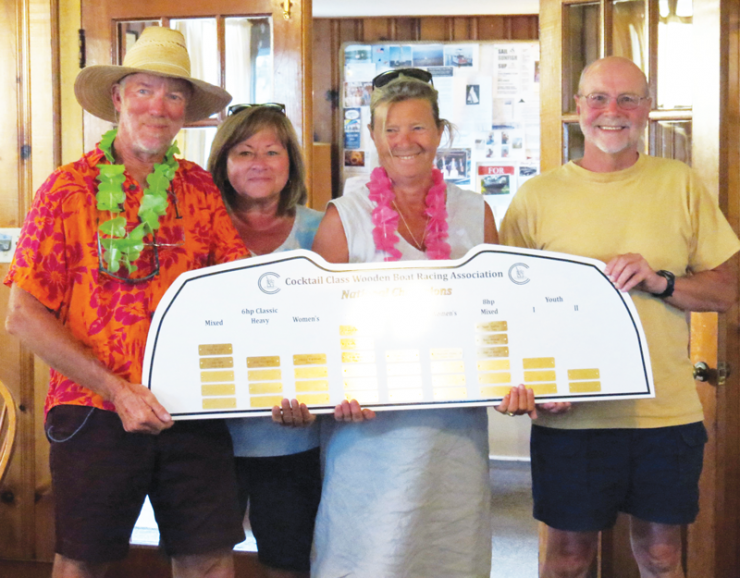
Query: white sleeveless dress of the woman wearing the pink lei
(406, 494)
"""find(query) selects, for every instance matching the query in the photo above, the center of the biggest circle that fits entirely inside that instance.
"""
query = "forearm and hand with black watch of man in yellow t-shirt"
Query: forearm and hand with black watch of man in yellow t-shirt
(711, 290)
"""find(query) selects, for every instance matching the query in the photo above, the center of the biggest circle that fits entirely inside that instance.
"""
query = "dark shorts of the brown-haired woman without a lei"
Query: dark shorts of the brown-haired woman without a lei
(283, 494)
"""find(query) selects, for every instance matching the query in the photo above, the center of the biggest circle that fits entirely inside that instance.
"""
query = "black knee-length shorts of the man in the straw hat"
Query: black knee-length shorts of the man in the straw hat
(101, 475)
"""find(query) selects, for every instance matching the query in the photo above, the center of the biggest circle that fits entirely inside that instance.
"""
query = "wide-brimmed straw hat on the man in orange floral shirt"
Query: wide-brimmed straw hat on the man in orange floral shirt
(160, 51)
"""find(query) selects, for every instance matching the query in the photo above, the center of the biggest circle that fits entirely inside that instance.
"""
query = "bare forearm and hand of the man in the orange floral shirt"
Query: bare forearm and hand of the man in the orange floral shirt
(37, 328)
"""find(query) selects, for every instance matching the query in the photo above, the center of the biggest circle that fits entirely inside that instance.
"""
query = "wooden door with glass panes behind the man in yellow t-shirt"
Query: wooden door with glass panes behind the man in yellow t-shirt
(691, 126)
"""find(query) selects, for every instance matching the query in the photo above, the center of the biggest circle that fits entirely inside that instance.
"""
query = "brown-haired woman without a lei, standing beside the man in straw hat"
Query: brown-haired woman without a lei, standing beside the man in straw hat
(257, 164)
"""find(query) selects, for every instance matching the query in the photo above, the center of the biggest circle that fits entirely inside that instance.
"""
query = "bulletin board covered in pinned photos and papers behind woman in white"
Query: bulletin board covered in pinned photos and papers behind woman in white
(488, 90)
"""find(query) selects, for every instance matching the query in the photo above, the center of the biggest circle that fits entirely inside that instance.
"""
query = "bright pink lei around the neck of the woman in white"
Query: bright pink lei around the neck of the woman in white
(385, 218)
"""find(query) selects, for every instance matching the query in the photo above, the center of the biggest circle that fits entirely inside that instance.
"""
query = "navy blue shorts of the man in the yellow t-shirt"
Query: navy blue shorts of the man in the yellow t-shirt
(582, 478)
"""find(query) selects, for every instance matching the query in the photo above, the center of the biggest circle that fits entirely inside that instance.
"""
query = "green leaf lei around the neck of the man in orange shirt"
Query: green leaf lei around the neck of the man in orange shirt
(119, 247)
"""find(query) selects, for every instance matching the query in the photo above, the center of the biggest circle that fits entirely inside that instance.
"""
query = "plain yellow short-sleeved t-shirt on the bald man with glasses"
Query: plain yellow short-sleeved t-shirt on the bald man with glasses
(656, 208)
